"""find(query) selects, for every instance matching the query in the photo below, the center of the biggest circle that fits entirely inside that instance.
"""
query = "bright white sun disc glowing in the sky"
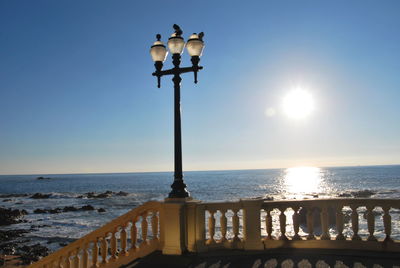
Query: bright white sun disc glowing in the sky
(298, 103)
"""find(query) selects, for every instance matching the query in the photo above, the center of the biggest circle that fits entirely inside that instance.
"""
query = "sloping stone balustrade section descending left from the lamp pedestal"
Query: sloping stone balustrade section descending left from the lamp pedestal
(130, 236)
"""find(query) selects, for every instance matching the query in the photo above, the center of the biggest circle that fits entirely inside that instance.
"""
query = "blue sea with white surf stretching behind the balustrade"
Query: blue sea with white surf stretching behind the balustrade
(128, 190)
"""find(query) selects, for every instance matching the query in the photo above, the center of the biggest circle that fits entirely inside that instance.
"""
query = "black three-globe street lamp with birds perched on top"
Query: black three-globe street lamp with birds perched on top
(158, 52)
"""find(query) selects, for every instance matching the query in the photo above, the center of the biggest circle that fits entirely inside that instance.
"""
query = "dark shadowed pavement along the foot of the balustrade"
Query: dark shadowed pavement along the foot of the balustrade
(302, 258)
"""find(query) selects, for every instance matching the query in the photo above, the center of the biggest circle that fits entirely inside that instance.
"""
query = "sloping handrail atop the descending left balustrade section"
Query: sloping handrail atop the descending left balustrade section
(101, 232)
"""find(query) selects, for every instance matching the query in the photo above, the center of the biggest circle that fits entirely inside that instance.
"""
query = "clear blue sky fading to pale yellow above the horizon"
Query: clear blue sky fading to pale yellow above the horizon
(77, 95)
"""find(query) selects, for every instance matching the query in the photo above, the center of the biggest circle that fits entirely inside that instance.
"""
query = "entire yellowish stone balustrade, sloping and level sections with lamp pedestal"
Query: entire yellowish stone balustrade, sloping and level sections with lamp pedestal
(177, 225)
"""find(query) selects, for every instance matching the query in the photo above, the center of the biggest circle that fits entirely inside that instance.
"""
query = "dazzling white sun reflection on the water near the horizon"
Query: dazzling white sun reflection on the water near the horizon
(303, 180)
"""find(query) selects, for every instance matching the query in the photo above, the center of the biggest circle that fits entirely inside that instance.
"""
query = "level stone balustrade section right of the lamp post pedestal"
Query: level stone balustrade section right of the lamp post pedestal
(266, 225)
